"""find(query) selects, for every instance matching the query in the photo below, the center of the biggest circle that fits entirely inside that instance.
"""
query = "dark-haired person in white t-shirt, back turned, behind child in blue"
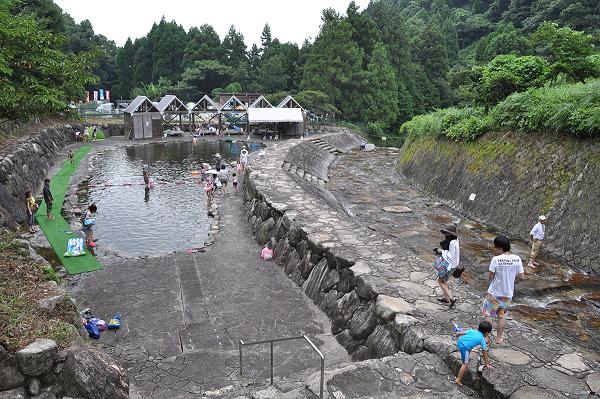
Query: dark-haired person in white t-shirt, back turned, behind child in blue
(504, 268)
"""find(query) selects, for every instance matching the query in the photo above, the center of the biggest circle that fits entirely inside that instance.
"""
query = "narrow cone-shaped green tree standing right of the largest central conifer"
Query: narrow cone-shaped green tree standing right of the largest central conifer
(381, 98)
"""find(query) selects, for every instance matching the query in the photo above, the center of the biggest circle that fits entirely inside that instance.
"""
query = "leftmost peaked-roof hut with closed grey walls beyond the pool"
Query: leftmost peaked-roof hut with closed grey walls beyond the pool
(142, 119)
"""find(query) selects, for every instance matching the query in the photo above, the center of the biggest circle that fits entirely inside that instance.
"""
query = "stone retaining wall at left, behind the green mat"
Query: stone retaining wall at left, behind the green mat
(23, 166)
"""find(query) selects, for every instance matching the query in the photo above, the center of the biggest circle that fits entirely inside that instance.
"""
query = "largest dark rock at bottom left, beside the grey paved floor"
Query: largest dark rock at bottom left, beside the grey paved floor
(89, 373)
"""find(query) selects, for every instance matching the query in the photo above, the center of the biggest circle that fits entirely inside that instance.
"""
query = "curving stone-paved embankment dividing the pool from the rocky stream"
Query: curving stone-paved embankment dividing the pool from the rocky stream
(379, 294)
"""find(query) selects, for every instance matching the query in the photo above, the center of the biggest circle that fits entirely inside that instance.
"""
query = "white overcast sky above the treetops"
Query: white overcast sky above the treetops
(290, 20)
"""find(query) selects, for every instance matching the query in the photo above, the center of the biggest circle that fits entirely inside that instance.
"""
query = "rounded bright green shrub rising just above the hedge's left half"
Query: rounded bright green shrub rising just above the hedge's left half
(509, 73)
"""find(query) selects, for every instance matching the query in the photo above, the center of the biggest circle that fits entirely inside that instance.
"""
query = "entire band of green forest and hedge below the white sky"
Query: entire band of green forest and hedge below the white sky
(466, 64)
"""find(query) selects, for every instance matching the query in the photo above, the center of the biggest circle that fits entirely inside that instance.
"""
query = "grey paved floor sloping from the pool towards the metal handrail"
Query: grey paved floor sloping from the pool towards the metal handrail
(184, 314)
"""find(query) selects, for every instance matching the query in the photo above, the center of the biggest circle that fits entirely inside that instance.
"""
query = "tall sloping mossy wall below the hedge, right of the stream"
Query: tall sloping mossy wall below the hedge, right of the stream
(515, 179)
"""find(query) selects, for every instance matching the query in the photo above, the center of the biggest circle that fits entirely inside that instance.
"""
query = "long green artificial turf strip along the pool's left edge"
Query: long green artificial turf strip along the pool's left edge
(57, 230)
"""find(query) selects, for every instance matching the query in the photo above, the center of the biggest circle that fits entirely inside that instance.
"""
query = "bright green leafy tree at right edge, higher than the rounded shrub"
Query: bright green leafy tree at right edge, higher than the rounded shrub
(569, 52)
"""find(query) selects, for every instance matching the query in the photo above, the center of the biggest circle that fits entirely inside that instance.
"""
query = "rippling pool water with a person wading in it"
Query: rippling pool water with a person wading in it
(171, 216)
